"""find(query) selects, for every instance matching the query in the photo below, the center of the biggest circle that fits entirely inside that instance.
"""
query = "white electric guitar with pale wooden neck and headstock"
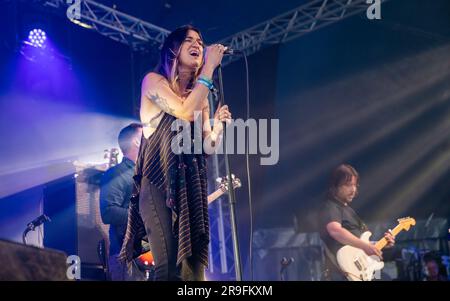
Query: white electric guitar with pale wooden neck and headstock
(357, 265)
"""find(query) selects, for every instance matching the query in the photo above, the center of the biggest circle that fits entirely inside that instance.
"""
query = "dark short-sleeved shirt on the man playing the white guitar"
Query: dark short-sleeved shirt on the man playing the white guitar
(335, 211)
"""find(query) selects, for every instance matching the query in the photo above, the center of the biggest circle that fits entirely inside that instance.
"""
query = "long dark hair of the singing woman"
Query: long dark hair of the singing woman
(168, 61)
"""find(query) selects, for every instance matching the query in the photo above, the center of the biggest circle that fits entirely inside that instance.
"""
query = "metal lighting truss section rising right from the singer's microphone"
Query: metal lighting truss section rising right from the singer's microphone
(290, 25)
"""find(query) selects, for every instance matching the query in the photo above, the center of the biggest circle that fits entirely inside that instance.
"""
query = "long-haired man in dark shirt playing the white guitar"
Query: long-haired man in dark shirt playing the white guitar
(339, 223)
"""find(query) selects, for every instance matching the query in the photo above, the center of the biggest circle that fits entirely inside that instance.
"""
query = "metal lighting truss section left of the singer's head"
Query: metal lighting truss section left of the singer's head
(114, 24)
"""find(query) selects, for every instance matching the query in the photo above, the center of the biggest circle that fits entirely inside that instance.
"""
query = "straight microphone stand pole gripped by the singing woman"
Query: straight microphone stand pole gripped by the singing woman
(232, 197)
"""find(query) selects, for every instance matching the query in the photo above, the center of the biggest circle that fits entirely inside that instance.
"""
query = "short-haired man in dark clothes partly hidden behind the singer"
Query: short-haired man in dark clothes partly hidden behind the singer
(115, 194)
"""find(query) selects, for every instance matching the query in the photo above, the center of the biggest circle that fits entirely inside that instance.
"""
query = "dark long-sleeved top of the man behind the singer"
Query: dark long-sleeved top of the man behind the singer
(115, 193)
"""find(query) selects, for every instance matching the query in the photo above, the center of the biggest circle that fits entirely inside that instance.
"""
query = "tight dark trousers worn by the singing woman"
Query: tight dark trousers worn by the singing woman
(157, 218)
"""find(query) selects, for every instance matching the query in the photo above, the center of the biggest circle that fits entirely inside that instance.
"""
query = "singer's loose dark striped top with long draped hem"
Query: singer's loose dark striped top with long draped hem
(182, 178)
